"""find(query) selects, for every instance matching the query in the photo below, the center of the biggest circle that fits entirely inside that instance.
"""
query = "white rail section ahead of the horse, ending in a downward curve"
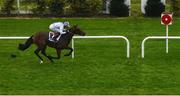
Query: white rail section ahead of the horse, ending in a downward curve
(101, 37)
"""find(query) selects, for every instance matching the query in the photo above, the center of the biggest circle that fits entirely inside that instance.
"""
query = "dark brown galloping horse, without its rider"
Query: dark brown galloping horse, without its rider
(41, 40)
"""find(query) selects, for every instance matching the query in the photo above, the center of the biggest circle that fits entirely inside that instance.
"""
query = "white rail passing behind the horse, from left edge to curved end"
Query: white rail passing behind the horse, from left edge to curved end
(78, 37)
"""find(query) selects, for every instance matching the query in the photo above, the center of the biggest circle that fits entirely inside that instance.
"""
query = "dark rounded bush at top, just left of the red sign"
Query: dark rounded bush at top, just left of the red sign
(154, 8)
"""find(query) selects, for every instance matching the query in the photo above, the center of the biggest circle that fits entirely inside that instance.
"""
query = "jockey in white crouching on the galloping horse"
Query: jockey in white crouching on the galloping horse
(60, 28)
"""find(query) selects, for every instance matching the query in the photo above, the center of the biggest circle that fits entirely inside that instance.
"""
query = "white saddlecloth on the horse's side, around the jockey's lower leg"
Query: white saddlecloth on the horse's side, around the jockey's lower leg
(54, 36)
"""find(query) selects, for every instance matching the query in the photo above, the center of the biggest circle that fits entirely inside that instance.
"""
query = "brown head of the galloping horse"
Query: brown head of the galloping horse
(76, 30)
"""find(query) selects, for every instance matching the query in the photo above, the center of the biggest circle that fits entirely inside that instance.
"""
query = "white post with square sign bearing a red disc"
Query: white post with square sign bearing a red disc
(166, 19)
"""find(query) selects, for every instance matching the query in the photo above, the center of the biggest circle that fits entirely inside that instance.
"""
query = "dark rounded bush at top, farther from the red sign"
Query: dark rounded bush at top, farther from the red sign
(118, 8)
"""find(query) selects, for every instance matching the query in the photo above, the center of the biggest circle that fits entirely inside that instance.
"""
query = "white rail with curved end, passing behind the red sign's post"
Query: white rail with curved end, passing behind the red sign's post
(155, 37)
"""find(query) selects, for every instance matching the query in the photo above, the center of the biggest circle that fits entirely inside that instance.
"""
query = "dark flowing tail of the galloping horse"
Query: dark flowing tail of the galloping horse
(26, 45)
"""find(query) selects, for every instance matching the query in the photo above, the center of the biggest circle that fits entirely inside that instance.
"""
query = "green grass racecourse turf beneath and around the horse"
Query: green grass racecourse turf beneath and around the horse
(100, 65)
